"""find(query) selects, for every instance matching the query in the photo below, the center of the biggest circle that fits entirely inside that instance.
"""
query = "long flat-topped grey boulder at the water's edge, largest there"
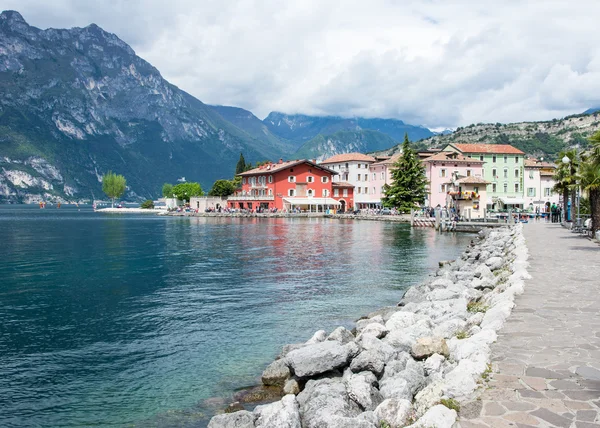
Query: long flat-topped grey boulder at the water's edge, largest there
(320, 357)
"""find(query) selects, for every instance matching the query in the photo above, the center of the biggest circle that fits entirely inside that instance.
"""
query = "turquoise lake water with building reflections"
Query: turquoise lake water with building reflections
(139, 320)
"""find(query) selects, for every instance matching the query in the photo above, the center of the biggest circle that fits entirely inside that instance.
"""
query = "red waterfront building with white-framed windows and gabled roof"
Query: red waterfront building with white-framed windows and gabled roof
(299, 184)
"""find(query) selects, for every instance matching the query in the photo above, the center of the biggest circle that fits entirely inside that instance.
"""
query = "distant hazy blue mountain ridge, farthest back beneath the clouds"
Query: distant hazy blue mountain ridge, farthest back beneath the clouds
(301, 128)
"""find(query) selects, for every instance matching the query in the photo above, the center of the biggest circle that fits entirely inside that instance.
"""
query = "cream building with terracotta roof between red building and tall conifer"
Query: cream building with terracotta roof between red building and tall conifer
(353, 168)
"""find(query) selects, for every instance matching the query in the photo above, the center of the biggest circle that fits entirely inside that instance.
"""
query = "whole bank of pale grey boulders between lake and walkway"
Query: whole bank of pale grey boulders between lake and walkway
(403, 366)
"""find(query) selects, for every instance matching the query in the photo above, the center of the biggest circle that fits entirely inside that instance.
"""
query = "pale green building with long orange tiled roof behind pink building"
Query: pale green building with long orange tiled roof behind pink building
(504, 170)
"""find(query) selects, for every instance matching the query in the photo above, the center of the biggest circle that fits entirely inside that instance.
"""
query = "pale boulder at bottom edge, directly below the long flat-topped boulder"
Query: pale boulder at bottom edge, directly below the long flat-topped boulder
(324, 401)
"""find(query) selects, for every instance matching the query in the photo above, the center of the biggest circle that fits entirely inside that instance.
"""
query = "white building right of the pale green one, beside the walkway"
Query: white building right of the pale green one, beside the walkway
(538, 184)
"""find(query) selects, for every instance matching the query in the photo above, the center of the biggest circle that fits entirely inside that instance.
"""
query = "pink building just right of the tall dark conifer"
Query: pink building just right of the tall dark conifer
(441, 167)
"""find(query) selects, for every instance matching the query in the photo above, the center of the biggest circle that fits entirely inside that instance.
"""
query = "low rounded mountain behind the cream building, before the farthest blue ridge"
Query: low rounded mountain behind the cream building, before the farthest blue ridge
(324, 146)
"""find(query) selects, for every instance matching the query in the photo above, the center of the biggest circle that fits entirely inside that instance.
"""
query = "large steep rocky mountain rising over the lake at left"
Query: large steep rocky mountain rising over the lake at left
(78, 102)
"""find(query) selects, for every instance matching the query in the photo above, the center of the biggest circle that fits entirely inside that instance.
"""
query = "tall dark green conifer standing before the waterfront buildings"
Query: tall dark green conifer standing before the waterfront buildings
(409, 184)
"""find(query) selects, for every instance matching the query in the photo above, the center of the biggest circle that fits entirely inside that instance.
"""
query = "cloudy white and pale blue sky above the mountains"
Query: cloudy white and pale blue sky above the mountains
(437, 63)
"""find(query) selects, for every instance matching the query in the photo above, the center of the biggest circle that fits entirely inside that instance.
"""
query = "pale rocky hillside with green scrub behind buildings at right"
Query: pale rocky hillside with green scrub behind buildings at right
(546, 138)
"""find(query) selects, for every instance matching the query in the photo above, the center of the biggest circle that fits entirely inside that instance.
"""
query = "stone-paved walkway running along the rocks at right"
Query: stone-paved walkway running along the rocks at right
(546, 362)
